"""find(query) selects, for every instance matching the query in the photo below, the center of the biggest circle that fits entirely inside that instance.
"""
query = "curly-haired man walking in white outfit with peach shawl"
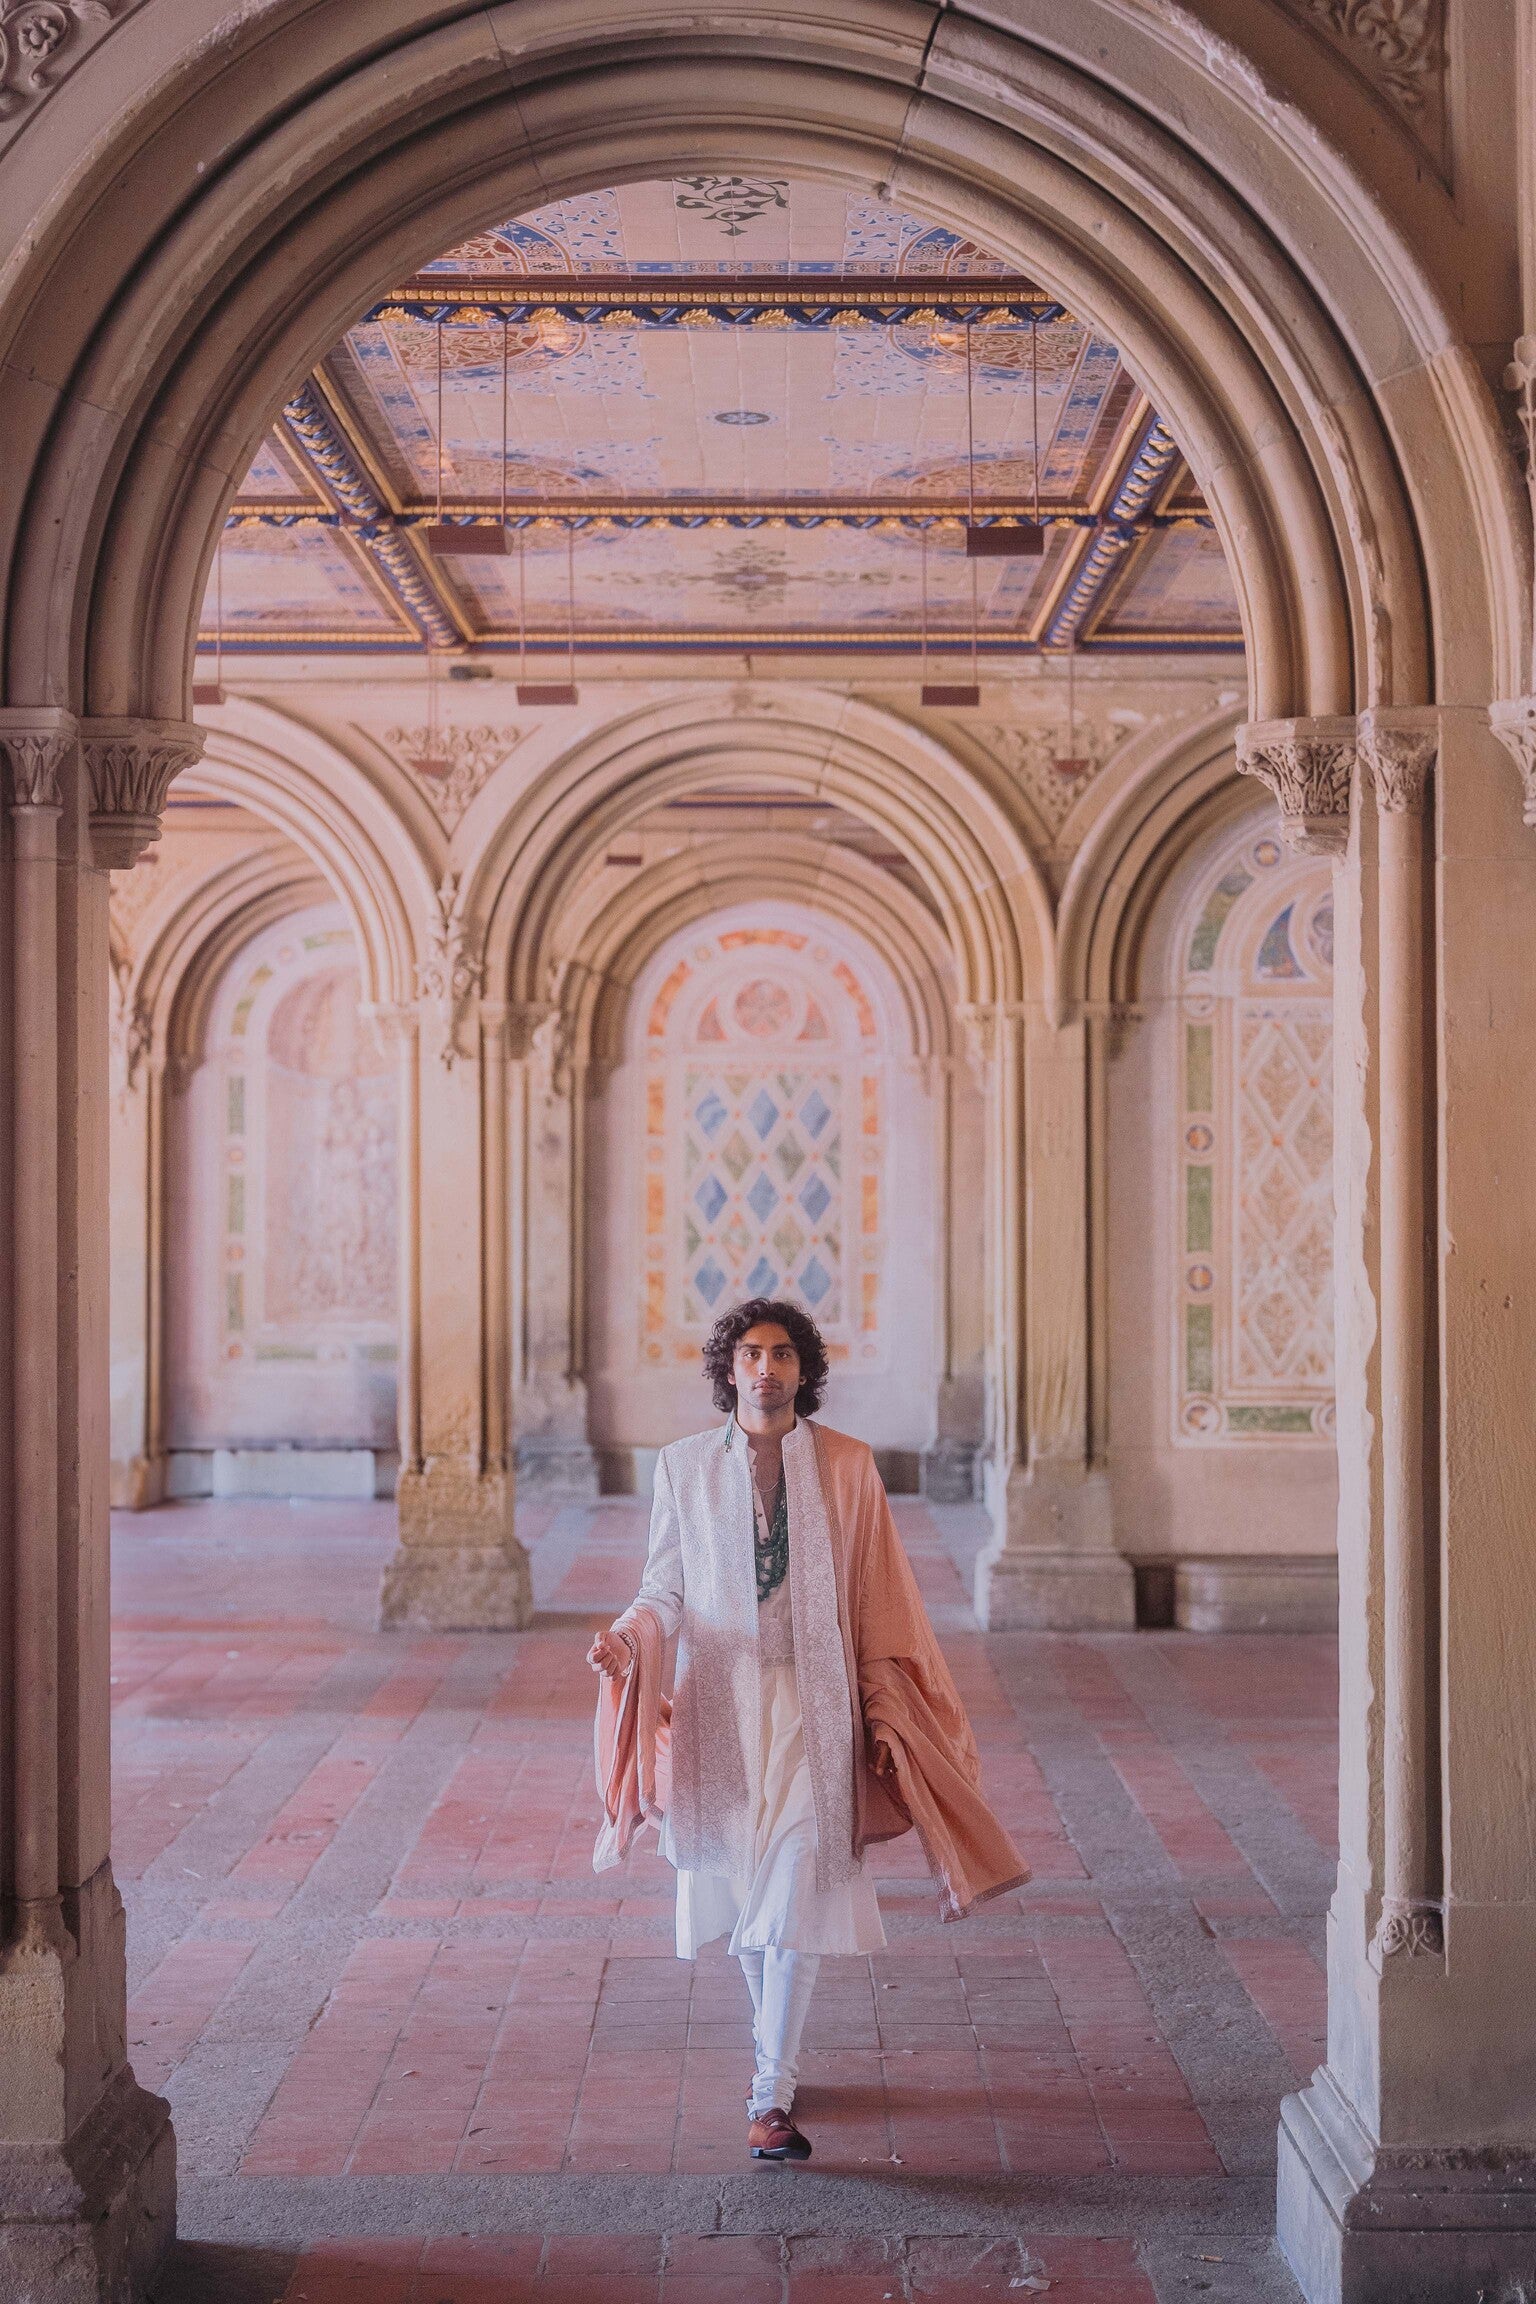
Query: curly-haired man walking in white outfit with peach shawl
(812, 1711)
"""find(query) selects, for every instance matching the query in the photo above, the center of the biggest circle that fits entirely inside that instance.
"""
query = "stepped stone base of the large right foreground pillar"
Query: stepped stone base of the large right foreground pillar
(1369, 2227)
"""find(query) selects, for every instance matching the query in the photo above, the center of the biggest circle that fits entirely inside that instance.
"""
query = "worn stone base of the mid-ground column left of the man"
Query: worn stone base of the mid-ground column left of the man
(459, 1568)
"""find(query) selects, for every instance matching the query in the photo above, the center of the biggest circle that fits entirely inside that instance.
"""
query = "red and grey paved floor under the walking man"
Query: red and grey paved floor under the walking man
(390, 1999)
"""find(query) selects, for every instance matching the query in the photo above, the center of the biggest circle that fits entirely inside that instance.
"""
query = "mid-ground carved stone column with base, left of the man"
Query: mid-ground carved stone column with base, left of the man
(459, 1566)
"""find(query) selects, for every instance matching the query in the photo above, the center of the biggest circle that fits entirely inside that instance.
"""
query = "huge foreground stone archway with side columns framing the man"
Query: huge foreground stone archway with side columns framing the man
(1212, 255)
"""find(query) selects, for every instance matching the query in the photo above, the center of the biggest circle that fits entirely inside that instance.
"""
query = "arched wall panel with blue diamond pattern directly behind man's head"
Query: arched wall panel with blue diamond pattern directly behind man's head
(766, 1142)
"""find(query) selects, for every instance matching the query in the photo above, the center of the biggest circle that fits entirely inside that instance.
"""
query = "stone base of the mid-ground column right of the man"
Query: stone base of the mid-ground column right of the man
(1054, 1563)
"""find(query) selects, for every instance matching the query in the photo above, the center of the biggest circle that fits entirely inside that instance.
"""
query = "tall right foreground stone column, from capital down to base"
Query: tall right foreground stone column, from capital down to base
(1408, 2167)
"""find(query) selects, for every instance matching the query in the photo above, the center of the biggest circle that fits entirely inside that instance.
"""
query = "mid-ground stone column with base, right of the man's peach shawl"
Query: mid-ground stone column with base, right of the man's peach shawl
(1051, 1561)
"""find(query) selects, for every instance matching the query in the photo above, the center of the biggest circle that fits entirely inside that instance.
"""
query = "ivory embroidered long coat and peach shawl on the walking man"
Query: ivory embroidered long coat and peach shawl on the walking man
(885, 1741)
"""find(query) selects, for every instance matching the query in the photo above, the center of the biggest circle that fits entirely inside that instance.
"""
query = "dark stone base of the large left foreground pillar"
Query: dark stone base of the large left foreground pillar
(89, 2222)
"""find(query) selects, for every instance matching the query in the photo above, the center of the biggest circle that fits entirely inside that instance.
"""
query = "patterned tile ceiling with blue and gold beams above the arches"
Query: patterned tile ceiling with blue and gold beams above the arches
(717, 414)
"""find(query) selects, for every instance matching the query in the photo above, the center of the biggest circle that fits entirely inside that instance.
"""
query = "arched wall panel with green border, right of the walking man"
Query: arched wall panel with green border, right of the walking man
(1254, 1326)
